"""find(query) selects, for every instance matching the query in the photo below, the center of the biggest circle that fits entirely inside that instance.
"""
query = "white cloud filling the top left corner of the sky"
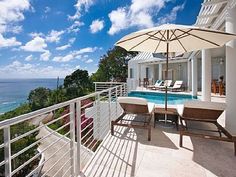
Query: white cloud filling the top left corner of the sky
(11, 11)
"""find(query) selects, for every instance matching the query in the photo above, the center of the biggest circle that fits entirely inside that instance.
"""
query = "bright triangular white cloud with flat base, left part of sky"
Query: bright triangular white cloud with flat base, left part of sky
(35, 45)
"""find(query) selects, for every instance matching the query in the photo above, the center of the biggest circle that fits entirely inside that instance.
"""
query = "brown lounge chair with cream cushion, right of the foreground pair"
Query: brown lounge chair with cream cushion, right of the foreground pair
(203, 112)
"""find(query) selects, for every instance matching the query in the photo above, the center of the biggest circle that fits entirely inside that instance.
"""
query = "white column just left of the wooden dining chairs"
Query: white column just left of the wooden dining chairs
(206, 75)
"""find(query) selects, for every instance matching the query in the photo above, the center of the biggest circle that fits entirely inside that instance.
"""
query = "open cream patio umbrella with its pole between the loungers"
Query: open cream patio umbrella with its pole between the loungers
(173, 38)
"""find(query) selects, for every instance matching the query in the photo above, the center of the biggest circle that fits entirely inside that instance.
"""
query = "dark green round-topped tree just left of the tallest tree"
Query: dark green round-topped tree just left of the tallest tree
(77, 84)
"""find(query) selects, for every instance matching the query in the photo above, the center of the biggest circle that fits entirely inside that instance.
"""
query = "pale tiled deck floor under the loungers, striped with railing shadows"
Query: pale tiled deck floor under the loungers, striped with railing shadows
(128, 153)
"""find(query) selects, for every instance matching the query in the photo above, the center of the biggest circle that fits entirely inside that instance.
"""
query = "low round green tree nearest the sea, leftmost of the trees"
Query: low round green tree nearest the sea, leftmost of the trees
(39, 98)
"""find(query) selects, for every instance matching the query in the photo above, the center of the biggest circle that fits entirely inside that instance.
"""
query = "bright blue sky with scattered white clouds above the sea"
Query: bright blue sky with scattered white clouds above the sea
(50, 38)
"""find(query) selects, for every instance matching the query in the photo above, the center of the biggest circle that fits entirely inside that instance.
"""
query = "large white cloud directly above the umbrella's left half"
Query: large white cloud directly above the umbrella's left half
(139, 14)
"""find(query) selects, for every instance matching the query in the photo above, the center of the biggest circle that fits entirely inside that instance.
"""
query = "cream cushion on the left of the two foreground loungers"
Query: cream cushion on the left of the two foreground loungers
(136, 101)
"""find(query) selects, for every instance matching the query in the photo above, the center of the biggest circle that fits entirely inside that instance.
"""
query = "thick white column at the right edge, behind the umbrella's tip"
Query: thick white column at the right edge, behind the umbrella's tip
(231, 73)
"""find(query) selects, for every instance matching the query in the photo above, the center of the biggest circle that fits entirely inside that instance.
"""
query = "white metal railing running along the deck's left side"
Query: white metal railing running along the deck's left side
(66, 140)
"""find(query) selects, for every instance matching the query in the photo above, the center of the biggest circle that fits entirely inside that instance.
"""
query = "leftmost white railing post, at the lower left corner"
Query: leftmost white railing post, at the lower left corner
(7, 150)
